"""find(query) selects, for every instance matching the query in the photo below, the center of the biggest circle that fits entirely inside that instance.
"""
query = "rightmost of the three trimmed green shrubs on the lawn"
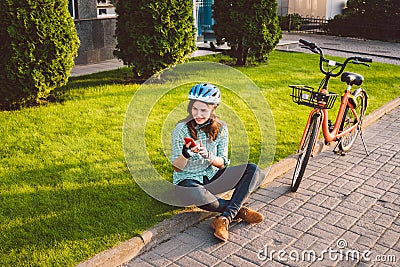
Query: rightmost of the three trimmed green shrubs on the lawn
(250, 27)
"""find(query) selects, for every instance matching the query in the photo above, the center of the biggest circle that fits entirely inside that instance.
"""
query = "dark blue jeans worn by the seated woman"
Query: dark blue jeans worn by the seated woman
(244, 179)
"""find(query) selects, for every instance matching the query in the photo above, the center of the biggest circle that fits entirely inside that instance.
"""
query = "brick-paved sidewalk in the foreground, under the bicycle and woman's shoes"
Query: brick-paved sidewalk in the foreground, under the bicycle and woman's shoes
(345, 213)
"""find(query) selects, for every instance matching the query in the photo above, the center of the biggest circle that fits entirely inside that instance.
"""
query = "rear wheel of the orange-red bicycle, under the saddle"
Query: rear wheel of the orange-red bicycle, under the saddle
(349, 120)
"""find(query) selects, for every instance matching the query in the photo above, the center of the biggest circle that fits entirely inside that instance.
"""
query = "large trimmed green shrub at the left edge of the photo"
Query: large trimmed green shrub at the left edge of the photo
(38, 45)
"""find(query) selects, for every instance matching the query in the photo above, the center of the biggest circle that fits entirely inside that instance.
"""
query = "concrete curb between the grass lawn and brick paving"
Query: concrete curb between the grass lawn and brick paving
(168, 228)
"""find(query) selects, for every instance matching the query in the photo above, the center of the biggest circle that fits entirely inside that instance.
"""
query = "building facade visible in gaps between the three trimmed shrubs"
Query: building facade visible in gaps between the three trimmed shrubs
(95, 21)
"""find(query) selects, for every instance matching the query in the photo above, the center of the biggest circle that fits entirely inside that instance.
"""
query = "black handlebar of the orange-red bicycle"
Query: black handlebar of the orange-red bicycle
(316, 49)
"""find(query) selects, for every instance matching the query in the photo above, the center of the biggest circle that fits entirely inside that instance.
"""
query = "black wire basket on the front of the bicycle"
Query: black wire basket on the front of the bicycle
(307, 96)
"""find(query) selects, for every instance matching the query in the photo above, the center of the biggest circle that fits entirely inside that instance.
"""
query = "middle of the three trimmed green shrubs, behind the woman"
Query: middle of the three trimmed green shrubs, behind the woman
(153, 35)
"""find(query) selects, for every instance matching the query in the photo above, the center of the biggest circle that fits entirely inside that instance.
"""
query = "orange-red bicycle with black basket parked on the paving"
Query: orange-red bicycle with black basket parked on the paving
(347, 125)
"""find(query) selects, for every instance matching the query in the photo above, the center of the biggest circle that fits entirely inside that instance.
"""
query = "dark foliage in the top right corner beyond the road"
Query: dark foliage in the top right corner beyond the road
(373, 19)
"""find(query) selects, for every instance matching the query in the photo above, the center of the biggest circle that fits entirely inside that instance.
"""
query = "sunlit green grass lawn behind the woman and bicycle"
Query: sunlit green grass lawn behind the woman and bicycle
(65, 191)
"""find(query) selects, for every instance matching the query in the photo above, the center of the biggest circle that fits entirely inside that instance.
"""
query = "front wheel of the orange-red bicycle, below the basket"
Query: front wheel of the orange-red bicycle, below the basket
(305, 152)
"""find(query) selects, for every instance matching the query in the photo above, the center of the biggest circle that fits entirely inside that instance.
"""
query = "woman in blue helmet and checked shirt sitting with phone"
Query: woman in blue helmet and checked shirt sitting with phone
(202, 165)
